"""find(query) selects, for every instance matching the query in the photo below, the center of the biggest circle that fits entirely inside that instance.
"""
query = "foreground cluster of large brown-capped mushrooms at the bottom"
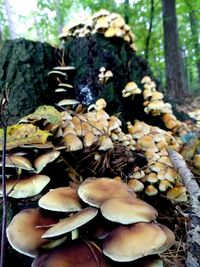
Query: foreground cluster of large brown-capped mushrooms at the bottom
(98, 223)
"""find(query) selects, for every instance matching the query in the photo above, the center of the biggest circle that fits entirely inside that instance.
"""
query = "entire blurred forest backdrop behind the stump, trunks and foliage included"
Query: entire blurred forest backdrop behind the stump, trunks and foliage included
(42, 20)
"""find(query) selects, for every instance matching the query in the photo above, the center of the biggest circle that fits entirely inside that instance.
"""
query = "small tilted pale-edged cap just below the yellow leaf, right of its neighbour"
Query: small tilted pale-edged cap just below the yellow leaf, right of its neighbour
(44, 159)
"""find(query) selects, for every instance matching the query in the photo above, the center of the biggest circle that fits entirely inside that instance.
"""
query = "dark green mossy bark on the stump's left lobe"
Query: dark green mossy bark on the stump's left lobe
(24, 66)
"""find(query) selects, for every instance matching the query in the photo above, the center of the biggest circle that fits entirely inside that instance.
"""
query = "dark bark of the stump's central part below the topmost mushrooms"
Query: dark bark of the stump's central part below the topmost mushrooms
(88, 55)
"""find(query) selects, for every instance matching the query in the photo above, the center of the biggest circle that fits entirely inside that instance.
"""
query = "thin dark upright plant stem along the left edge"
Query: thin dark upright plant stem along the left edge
(4, 201)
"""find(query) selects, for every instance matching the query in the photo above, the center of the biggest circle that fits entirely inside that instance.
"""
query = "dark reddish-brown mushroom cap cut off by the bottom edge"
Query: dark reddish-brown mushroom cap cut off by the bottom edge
(75, 254)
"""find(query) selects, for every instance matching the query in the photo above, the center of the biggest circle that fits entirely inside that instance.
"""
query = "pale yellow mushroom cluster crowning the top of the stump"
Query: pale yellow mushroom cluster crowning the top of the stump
(103, 22)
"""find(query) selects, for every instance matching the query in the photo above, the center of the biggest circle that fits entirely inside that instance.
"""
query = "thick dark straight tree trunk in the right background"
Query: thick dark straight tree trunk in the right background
(175, 81)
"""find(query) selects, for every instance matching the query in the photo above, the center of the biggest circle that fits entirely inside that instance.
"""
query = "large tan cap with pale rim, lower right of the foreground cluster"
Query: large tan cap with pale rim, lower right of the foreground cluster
(128, 243)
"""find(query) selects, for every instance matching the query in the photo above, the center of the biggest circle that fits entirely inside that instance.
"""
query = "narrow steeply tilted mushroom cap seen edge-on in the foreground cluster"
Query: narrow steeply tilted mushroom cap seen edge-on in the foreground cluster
(72, 222)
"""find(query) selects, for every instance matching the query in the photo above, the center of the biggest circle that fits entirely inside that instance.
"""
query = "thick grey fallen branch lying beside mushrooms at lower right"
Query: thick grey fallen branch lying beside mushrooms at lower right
(193, 234)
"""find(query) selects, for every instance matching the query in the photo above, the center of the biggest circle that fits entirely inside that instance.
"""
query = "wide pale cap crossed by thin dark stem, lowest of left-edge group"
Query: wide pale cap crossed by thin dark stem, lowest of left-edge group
(28, 187)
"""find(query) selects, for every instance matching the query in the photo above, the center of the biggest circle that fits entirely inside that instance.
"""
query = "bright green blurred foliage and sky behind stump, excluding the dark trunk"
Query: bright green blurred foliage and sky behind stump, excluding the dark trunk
(144, 17)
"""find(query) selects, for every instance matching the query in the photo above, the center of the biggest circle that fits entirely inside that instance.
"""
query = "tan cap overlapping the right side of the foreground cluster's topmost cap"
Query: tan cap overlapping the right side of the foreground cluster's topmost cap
(127, 210)
